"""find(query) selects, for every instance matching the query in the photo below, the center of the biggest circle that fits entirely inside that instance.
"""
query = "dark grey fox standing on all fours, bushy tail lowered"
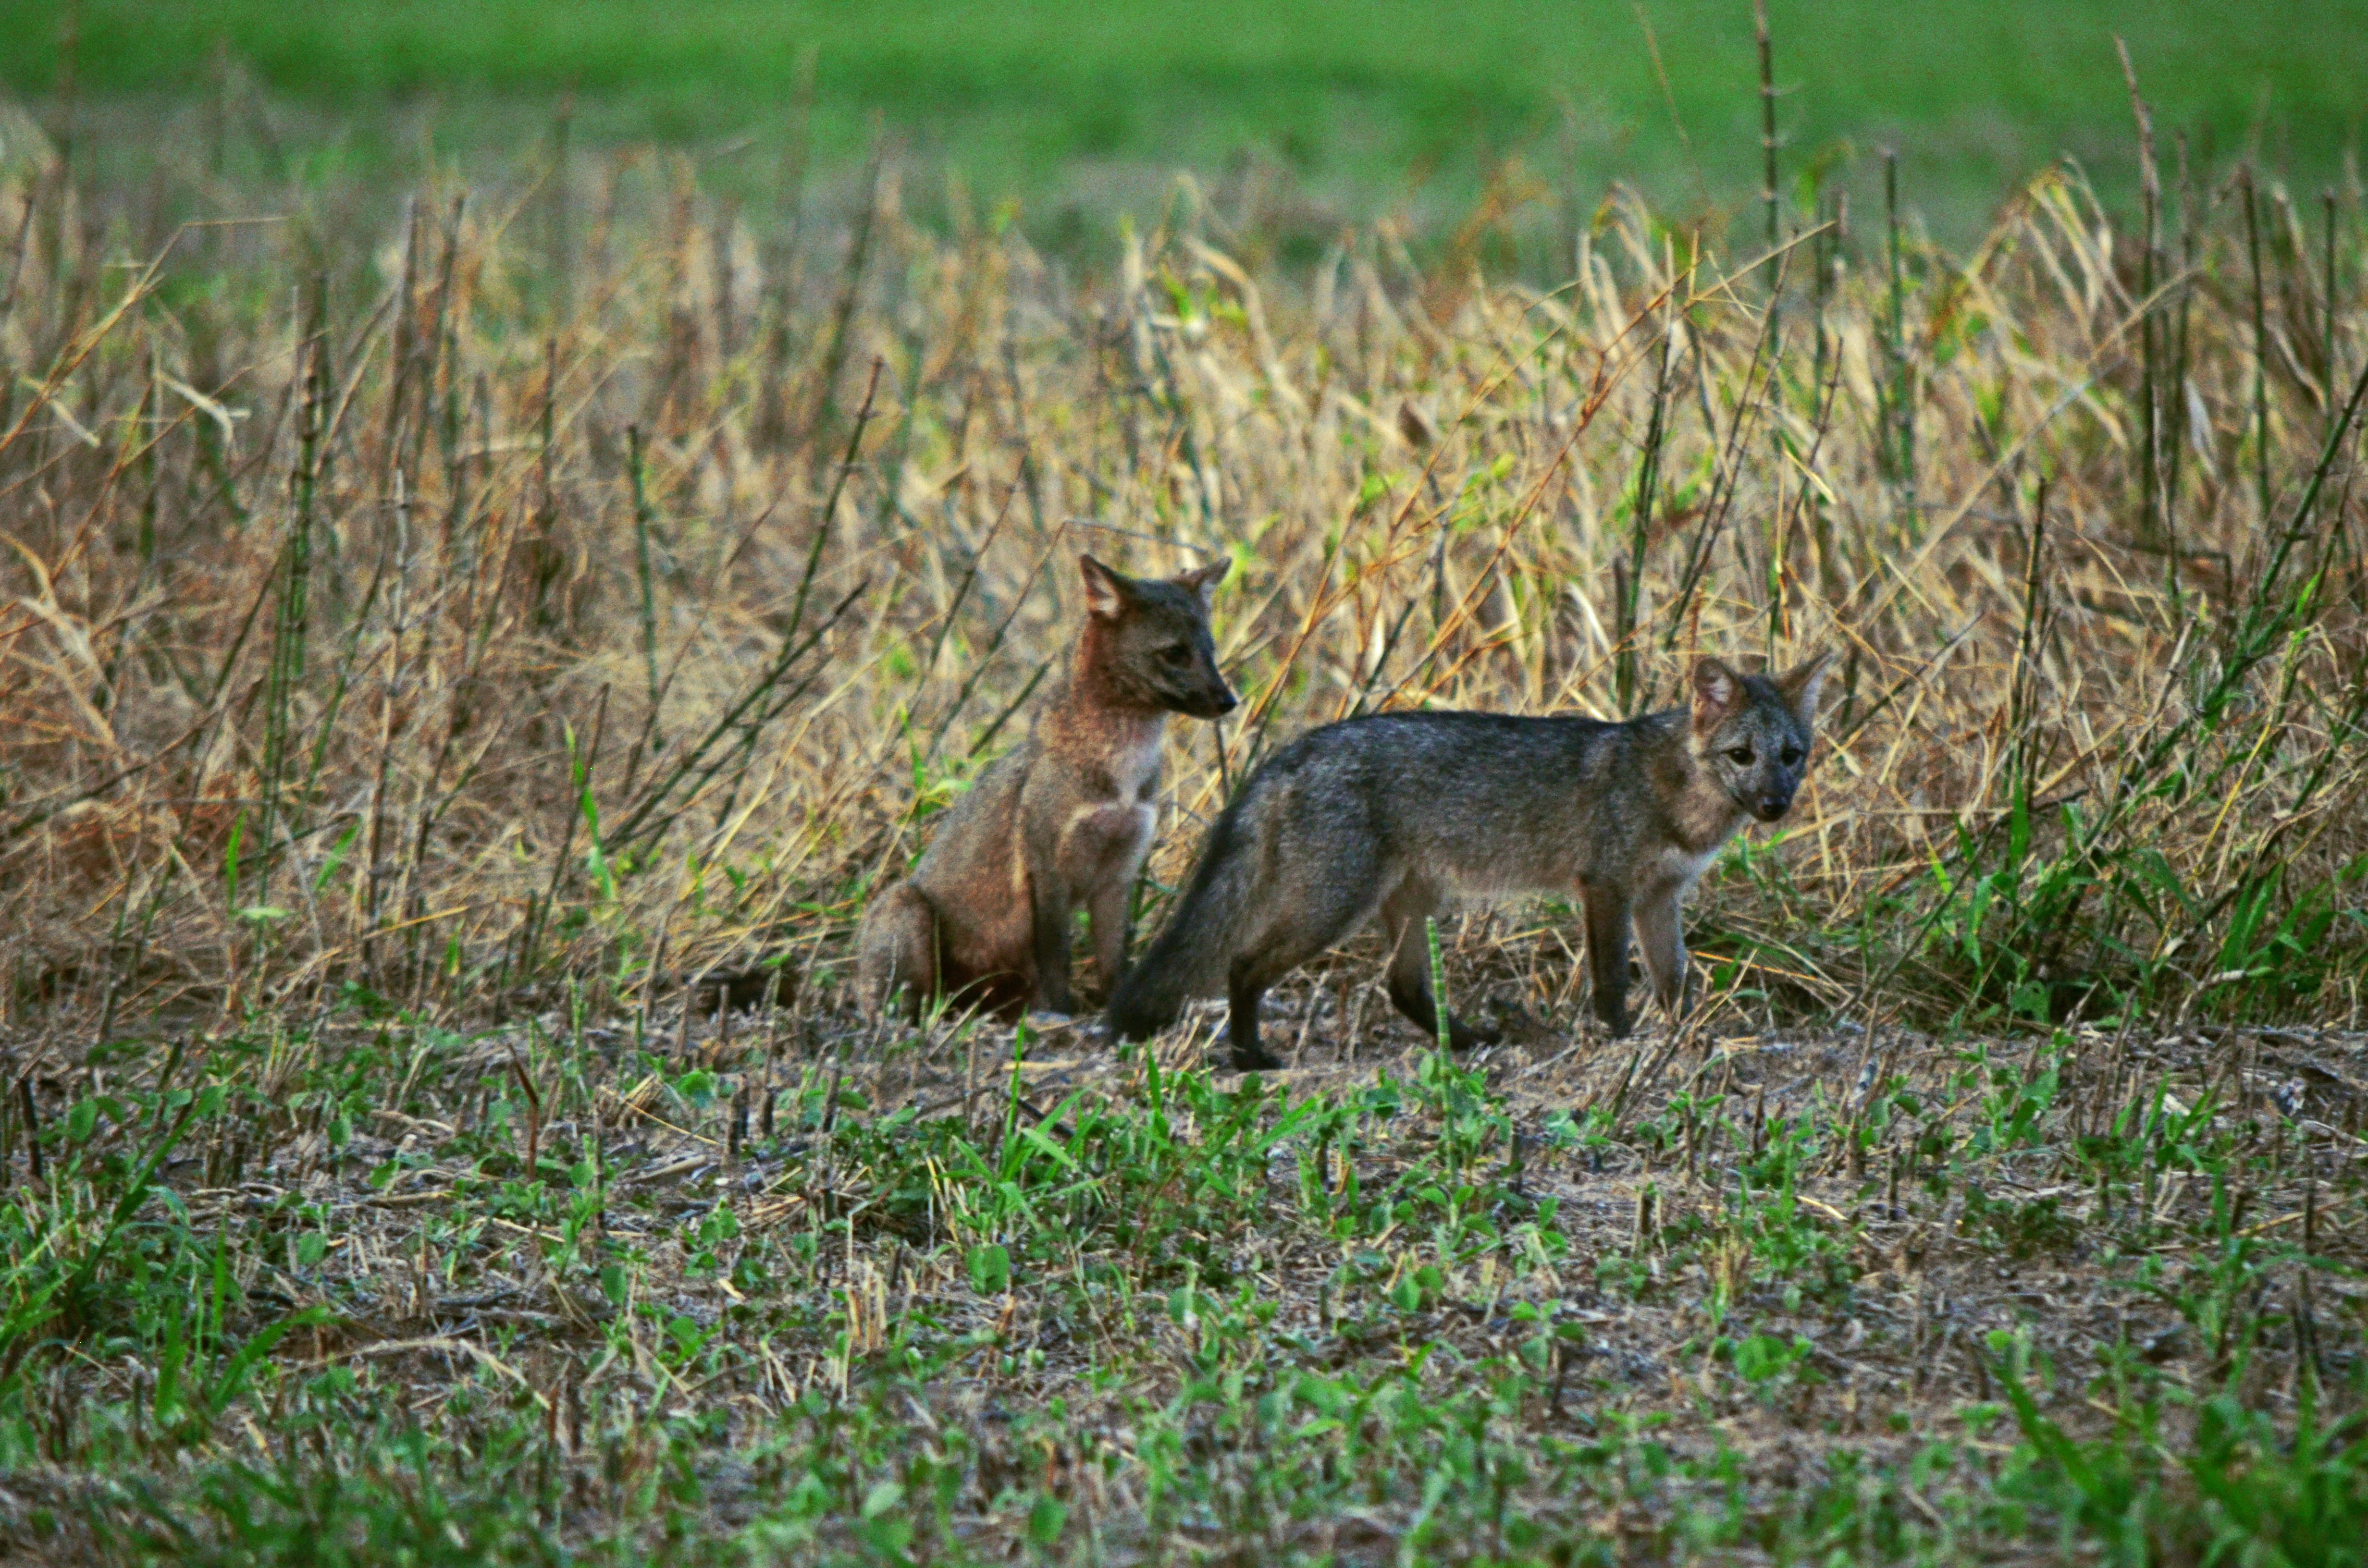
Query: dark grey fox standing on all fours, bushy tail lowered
(1398, 814)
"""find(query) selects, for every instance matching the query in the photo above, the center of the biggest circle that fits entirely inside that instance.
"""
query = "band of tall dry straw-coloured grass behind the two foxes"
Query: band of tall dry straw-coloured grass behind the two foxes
(468, 608)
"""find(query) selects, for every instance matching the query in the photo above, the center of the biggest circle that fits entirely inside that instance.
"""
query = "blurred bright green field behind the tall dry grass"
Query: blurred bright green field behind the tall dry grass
(1349, 108)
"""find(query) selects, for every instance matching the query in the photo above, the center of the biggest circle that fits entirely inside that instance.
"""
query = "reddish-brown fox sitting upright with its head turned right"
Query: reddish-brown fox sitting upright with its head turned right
(1062, 821)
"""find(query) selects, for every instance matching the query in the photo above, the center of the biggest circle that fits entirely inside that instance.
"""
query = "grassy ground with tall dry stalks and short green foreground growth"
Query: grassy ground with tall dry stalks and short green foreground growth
(425, 641)
